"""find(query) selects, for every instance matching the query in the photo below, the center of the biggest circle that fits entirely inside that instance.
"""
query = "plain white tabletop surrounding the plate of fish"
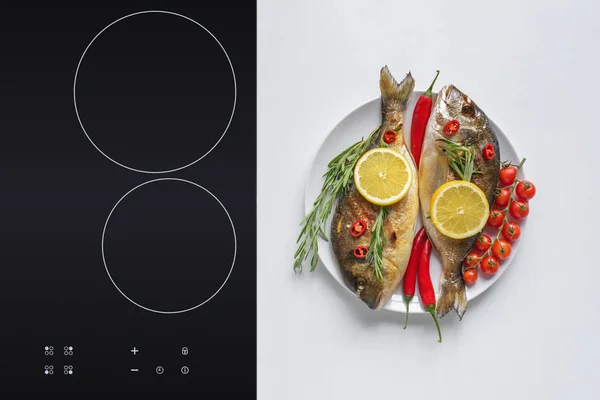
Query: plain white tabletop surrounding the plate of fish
(534, 67)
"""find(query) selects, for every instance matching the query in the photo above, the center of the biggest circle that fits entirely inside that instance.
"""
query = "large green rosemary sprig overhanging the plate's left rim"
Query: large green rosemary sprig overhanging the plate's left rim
(338, 178)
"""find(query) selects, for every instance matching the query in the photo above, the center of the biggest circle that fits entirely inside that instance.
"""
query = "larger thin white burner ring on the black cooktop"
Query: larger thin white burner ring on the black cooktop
(232, 108)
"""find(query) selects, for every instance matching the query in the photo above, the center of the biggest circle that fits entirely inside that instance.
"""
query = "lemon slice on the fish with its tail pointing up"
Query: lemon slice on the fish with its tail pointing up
(383, 176)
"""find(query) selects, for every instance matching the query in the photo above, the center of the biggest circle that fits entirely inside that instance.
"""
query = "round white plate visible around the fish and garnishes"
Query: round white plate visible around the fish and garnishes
(356, 125)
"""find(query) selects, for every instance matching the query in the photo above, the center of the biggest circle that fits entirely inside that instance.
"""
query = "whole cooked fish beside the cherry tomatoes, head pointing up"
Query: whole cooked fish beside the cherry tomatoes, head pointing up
(475, 129)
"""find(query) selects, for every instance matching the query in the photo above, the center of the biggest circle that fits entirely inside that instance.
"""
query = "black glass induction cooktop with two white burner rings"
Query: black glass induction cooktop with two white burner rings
(128, 171)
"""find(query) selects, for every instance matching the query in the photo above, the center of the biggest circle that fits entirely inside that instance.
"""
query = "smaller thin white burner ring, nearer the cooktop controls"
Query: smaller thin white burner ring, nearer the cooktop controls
(234, 246)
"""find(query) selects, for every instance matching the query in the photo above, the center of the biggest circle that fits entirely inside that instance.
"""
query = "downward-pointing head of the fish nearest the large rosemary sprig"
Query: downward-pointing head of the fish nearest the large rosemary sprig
(368, 287)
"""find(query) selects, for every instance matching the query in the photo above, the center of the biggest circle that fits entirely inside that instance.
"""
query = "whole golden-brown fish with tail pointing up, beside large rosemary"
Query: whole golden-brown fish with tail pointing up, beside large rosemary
(401, 220)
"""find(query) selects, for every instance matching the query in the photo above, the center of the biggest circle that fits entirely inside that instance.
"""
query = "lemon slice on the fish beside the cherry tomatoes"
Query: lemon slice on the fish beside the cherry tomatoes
(459, 209)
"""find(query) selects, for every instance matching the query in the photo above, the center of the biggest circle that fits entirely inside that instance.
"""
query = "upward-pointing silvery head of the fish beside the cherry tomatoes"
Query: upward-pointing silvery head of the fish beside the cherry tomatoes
(452, 104)
